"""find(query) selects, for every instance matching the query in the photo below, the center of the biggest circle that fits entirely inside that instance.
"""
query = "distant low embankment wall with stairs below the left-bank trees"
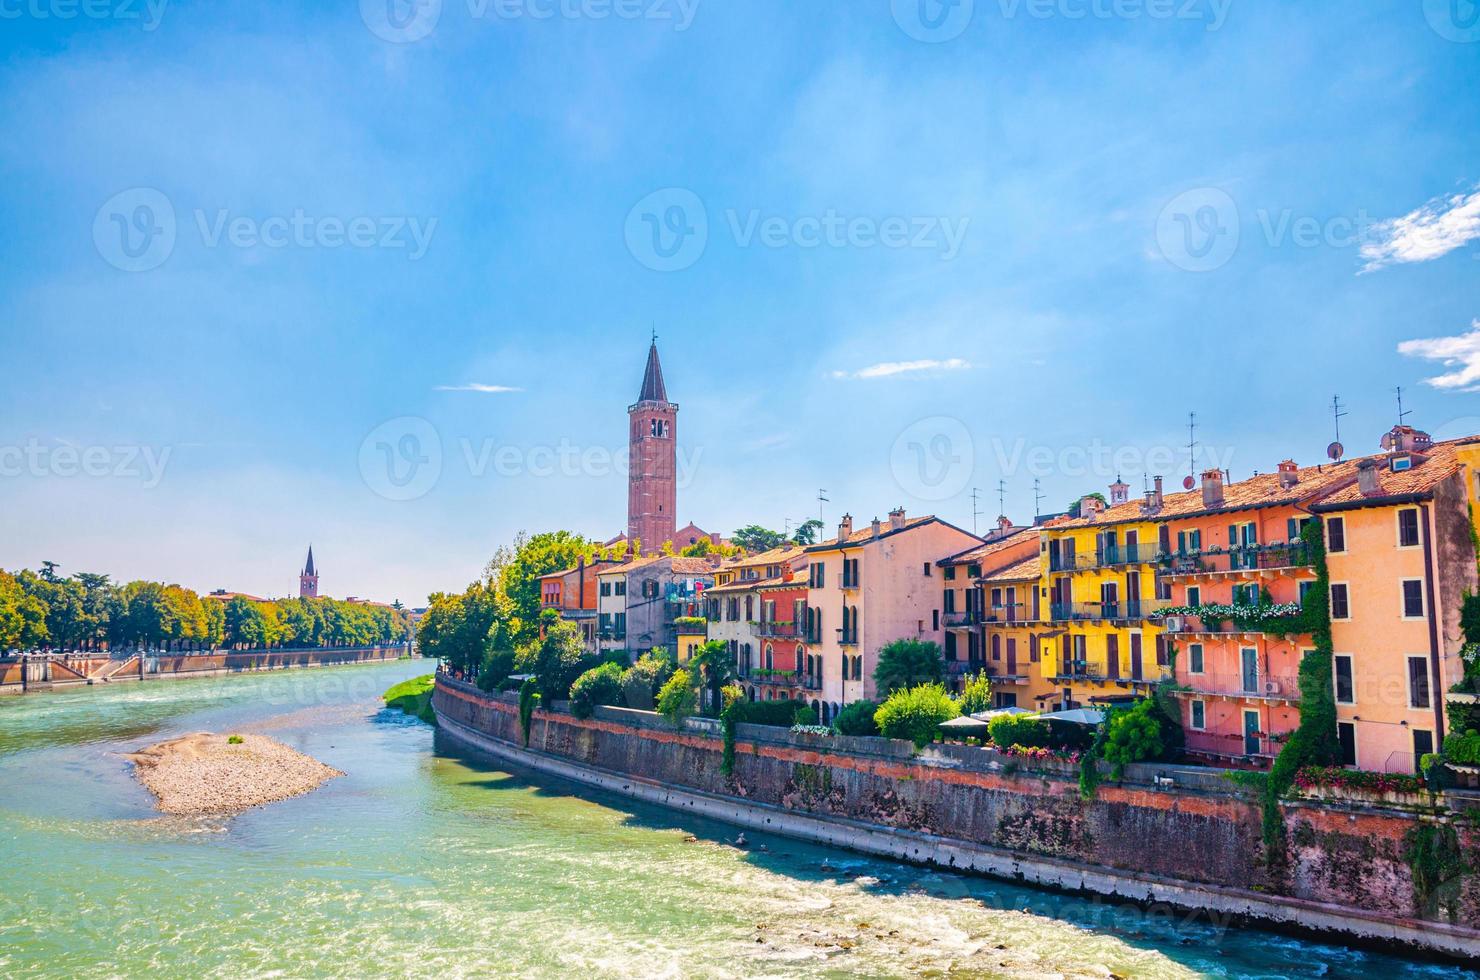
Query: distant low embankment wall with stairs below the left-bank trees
(51, 671)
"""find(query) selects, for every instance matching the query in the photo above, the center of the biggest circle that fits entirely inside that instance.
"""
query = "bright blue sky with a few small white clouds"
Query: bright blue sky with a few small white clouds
(381, 278)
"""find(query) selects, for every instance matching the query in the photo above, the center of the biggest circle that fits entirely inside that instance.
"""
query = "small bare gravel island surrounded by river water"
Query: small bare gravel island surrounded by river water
(208, 773)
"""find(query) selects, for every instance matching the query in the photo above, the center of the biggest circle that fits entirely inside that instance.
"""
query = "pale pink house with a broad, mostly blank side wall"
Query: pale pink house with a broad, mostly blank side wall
(868, 588)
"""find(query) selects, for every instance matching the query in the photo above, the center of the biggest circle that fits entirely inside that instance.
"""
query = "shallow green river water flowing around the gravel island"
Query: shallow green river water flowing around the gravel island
(425, 861)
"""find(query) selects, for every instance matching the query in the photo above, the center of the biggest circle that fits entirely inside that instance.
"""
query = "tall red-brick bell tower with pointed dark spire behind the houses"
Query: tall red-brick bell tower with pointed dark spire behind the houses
(652, 483)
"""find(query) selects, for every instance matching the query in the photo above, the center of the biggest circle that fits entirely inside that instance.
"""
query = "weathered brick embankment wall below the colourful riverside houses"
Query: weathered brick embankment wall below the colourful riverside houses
(1197, 846)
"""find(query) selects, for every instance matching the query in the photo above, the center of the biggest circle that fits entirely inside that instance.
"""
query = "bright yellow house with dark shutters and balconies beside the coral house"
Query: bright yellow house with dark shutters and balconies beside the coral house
(1099, 578)
